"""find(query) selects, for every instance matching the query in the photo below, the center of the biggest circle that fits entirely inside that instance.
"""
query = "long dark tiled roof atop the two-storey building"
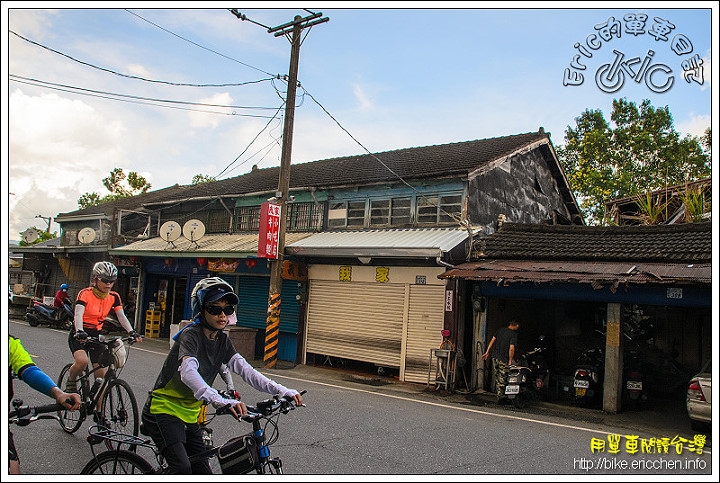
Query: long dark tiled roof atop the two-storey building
(409, 164)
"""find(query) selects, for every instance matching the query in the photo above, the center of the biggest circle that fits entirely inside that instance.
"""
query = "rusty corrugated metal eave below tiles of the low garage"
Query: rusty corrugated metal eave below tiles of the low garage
(595, 273)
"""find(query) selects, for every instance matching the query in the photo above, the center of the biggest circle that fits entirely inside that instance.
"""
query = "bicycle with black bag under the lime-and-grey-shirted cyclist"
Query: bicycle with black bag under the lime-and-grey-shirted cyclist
(239, 455)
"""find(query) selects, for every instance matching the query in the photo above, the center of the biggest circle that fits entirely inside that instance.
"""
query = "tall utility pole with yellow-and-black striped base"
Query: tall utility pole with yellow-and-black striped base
(272, 323)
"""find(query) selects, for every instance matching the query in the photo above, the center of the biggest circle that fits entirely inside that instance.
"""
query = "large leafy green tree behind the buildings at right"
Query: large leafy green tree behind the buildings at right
(643, 152)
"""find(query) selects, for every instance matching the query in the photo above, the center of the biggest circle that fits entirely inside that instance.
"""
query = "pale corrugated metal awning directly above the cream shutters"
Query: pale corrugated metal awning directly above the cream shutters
(405, 243)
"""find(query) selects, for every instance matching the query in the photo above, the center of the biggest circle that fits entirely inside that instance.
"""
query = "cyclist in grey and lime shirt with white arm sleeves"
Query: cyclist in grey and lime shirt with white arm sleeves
(170, 415)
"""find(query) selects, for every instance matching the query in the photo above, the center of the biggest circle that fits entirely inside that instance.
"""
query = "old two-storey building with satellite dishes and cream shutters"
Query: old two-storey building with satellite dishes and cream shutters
(367, 238)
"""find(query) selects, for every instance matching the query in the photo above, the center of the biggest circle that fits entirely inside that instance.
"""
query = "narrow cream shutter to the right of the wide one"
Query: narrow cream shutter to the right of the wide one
(425, 321)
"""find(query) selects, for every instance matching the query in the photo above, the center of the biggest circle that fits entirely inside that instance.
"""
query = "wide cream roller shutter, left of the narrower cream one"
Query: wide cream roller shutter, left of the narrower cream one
(356, 320)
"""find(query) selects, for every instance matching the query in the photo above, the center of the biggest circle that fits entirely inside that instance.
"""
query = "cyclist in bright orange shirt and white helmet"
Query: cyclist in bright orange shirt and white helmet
(92, 305)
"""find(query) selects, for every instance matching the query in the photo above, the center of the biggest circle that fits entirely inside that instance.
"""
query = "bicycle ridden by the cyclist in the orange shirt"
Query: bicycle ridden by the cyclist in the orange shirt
(118, 407)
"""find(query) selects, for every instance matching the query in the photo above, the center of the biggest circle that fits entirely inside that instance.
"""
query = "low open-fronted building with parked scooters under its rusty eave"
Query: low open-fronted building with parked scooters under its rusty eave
(638, 287)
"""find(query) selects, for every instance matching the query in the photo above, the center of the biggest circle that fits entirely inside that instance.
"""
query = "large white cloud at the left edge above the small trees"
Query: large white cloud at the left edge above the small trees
(58, 150)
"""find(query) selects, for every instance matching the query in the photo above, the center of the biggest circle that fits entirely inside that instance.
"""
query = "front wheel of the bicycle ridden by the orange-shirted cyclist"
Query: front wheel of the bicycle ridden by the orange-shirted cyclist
(119, 410)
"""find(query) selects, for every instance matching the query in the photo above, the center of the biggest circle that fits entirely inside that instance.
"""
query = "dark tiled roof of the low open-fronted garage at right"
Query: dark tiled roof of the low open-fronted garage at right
(680, 243)
